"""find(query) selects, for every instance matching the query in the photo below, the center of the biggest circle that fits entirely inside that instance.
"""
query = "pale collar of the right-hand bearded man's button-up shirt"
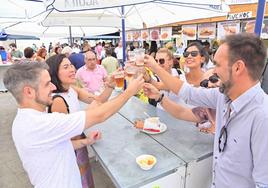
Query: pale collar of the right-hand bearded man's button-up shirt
(245, 98)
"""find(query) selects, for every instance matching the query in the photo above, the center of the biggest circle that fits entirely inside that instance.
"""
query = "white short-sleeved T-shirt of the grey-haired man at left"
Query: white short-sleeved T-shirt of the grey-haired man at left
(43, 142)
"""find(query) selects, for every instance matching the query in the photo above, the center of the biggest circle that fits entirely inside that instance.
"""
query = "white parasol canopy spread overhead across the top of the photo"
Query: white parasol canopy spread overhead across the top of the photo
(87, 17)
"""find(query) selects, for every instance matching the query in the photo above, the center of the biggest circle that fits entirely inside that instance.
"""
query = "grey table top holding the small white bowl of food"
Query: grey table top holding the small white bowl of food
(121, 143)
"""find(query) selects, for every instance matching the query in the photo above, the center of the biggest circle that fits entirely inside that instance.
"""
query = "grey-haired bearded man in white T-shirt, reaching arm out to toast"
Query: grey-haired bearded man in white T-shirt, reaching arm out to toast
(43, 140)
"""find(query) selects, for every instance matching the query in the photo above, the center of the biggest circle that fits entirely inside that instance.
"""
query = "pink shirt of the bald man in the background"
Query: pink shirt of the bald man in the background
(92, 80)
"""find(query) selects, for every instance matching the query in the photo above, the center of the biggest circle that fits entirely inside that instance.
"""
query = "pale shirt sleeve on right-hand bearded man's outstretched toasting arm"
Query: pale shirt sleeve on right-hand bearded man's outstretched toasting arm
(202, 97)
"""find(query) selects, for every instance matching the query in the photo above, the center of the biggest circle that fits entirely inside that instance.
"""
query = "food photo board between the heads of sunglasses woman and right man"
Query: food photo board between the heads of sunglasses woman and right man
(207, 31)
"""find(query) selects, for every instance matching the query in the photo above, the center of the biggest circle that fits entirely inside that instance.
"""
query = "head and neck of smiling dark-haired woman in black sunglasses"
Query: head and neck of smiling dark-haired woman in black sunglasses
(194, 55)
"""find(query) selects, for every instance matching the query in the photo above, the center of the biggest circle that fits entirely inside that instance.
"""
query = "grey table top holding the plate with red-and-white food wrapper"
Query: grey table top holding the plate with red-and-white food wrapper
(181, 137)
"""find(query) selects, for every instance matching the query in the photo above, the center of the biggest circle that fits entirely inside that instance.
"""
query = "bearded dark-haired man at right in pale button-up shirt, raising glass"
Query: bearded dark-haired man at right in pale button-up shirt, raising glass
(241, 142)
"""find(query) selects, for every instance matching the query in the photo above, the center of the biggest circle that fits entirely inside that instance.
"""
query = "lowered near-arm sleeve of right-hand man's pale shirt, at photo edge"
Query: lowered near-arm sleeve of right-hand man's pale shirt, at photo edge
(259, 147)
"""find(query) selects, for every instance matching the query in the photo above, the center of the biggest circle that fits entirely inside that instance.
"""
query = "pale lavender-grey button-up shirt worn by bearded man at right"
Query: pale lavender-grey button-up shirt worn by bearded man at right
(244, 162)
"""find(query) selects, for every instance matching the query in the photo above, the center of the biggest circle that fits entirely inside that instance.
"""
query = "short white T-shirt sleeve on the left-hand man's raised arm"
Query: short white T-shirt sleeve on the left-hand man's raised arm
(57, 127)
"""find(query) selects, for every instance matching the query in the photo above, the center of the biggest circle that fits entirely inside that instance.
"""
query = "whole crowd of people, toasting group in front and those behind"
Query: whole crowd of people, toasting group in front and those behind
(224, 99)
